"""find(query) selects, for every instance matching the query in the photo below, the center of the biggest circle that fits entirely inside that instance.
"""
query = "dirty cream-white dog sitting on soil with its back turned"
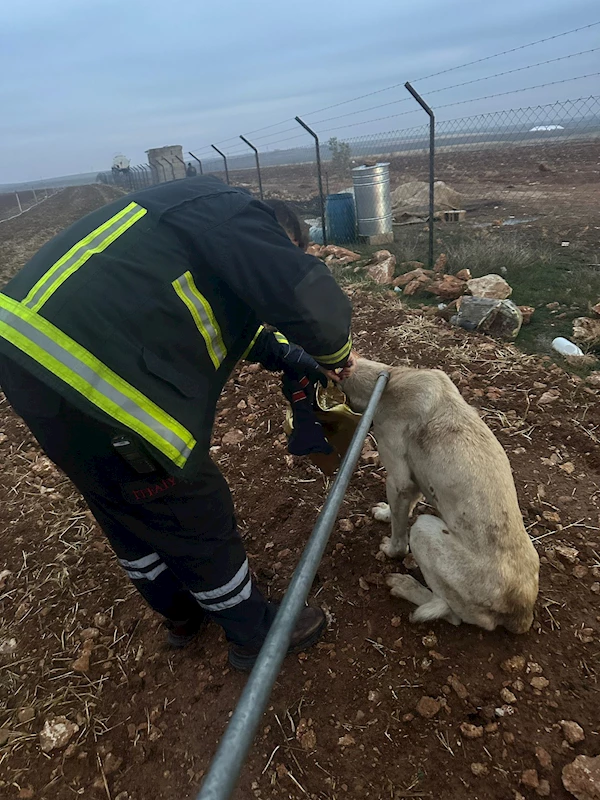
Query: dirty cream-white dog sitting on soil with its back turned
(478, 561)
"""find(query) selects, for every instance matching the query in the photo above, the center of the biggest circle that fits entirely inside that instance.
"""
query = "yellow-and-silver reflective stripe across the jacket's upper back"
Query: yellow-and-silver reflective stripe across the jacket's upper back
(95, 242)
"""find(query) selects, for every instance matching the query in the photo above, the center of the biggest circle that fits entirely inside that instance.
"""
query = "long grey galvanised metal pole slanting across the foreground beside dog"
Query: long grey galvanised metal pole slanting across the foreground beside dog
(224, 770)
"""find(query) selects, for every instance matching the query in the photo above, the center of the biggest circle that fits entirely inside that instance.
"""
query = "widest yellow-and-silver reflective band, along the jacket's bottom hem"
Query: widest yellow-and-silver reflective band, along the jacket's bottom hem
(81, 370)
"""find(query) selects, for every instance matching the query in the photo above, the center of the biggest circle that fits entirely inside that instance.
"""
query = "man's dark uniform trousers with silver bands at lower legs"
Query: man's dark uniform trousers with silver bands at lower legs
(177, 540)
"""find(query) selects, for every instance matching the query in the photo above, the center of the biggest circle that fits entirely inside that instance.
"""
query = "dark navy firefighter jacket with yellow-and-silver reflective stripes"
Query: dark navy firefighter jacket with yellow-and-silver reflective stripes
(138, 312)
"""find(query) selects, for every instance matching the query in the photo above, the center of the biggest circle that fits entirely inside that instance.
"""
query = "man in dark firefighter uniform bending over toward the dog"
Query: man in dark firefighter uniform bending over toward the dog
(115, 342)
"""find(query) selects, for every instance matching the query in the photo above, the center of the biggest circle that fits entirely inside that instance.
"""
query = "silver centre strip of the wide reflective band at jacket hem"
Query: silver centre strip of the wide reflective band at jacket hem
(96, 382)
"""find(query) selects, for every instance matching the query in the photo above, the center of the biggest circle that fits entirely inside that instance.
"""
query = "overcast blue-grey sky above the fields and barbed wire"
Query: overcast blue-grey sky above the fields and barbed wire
(84, 80)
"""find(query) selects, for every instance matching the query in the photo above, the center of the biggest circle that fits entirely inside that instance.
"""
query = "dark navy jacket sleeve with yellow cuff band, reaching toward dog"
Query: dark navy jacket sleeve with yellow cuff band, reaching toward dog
(286, 288)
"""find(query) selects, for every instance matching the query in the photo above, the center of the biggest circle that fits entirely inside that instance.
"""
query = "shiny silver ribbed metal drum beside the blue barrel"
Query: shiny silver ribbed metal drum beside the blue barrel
(373, 199)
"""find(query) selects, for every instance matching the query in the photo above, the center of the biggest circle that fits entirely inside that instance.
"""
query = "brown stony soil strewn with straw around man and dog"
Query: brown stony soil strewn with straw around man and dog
(346, 719)
